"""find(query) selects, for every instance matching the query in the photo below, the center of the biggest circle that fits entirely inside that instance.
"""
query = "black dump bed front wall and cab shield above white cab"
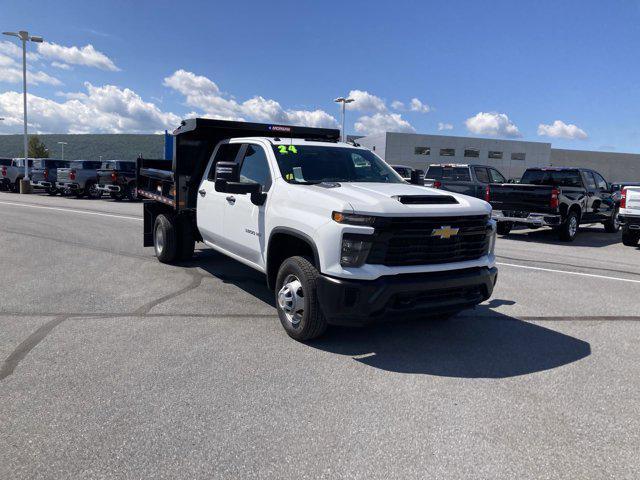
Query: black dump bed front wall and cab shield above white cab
(196, 139)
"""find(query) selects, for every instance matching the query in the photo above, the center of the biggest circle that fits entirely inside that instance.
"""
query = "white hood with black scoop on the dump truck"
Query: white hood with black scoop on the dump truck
(382, 199)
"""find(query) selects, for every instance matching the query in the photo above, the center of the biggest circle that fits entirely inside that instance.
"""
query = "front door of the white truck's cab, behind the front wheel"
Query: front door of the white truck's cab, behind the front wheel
(245, 221)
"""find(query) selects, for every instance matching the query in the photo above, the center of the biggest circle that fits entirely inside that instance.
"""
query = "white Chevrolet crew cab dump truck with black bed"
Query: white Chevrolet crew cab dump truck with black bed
(340, 237)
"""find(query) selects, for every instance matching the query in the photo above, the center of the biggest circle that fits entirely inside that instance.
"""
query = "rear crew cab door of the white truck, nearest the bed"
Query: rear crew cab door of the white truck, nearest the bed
(211, 205)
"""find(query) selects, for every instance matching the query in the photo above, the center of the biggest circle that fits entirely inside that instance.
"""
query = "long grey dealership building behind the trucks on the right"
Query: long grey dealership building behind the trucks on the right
(511, 157)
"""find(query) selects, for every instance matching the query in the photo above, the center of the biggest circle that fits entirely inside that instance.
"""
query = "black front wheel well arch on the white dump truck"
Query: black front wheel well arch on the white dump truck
(284, 243)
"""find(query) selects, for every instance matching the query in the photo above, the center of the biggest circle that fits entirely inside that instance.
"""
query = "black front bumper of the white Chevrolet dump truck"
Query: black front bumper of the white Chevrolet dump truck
(358, 302)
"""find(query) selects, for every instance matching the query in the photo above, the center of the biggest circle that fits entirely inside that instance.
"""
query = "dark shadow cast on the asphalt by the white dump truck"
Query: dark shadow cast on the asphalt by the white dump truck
(480, 343)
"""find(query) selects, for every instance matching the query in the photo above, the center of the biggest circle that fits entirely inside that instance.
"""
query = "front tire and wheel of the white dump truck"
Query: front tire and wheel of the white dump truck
(311, 322)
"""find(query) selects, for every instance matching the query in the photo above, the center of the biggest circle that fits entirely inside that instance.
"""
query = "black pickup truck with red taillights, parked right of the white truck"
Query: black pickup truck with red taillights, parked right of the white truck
(561, 198)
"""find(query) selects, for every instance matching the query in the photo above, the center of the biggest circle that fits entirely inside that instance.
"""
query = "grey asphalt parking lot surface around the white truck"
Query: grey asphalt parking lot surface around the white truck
(117, 366)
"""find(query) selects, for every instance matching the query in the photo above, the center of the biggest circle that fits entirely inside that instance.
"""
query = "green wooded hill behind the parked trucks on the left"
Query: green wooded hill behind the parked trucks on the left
(90, 146)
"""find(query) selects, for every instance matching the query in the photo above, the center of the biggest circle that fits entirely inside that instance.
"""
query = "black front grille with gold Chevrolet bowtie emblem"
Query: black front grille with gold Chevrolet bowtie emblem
(402, 241)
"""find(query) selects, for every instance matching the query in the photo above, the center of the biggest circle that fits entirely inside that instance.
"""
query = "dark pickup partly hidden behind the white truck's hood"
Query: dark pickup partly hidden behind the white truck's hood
(467, 179)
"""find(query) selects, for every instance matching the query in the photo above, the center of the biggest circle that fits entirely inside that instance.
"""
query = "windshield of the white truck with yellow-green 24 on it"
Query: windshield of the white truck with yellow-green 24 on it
(316, 164)
